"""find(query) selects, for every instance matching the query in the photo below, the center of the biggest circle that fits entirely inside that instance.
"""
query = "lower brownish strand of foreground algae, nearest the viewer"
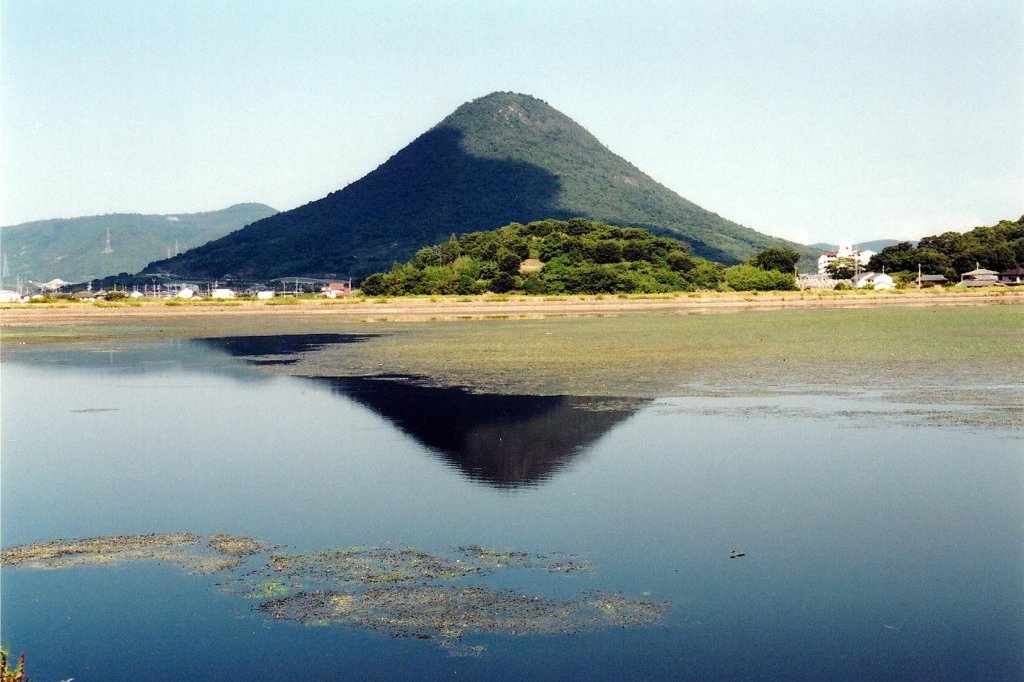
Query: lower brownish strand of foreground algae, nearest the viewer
(446, 612)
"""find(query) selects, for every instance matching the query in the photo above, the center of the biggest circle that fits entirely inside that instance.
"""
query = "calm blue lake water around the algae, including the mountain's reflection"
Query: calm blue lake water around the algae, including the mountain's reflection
(875, 549)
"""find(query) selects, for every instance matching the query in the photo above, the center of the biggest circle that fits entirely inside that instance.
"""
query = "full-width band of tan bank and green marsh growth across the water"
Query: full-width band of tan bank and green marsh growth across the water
(942, 350)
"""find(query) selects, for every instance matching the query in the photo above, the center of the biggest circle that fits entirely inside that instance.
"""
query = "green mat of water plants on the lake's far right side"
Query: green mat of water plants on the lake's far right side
(651, 356)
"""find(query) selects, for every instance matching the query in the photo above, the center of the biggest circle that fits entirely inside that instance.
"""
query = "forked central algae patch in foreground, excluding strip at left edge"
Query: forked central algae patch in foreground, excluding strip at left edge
(409, 593)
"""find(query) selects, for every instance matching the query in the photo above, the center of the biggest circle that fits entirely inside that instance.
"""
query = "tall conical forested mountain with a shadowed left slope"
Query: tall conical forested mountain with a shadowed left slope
(503, 158)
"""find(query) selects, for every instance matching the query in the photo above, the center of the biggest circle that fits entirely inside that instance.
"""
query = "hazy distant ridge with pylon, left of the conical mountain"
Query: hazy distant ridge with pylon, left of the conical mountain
(77, 249)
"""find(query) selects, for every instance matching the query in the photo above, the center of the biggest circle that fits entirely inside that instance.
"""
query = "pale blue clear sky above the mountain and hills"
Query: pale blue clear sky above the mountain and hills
(815, 121)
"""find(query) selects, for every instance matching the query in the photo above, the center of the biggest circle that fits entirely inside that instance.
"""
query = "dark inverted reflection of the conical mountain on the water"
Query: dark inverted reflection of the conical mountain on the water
(503, 441)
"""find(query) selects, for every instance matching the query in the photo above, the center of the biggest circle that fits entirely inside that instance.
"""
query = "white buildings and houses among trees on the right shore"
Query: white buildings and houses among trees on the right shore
(869, 280)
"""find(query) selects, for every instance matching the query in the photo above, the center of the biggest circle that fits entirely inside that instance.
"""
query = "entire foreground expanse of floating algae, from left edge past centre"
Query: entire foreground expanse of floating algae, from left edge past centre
(398, 592)
